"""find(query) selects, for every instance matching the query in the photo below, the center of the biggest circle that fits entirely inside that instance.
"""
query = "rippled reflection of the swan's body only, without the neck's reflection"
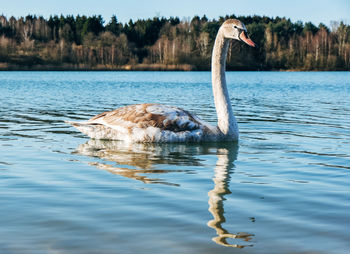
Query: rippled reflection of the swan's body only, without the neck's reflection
(137, 161)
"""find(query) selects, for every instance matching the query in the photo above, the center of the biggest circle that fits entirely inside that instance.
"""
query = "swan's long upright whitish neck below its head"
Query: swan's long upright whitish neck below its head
(226, 120)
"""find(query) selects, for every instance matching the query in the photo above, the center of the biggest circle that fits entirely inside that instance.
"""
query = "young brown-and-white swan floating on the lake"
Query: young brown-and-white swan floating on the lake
(162, 123)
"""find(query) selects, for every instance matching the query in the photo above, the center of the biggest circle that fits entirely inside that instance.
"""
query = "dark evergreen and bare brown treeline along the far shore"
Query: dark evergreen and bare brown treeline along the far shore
(81, 42)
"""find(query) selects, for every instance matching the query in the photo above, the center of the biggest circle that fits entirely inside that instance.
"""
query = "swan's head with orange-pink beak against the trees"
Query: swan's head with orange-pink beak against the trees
(235, 29)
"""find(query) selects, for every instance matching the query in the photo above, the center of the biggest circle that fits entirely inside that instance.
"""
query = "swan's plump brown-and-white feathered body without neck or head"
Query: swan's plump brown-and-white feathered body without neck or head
(148, 123)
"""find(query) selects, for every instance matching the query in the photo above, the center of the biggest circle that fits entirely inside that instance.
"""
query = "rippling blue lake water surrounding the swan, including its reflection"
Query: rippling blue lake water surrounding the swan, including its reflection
(283, 188)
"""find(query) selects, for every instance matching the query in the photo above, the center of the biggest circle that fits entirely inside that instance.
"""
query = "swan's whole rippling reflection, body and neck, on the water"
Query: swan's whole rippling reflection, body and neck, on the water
(139, 162)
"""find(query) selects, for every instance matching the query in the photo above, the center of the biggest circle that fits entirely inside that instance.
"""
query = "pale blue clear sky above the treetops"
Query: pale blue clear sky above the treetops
(316, 11)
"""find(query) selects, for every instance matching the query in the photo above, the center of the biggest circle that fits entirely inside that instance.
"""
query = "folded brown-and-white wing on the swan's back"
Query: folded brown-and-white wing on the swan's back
(150, 115)
